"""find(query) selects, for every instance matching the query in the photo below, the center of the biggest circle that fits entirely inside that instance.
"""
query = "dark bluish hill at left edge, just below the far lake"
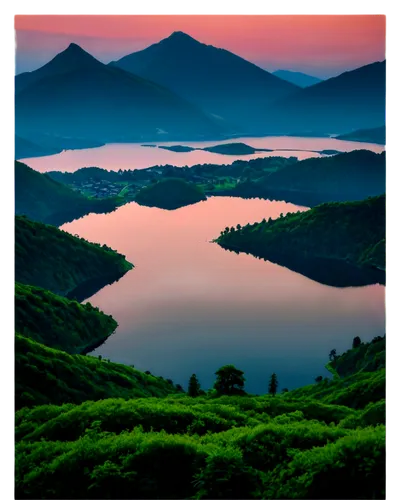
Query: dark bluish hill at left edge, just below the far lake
(44, 199)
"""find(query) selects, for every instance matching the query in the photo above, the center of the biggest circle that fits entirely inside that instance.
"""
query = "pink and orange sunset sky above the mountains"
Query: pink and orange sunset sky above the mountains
(322, 44)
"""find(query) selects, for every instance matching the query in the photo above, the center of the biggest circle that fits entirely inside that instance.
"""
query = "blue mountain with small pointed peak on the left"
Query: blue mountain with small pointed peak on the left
(75, 95)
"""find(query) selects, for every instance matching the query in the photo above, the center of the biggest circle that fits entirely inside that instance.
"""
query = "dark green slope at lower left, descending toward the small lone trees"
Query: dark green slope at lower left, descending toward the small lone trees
(44, 375)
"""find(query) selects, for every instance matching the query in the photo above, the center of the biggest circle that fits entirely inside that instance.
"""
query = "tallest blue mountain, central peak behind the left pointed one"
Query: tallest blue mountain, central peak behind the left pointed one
(223, 84)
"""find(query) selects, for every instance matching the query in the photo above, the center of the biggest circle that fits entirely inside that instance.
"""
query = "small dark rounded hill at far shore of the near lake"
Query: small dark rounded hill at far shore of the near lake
(170, 194)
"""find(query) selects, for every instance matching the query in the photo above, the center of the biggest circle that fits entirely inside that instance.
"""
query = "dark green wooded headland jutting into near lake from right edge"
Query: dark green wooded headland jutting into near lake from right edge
(349, 231)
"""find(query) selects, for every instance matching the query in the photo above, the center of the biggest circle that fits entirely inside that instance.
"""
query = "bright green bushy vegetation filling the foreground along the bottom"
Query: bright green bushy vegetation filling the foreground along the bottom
(287, 446)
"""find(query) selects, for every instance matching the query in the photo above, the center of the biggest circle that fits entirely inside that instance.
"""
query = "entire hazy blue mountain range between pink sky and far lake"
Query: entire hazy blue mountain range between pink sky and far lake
(181, 89)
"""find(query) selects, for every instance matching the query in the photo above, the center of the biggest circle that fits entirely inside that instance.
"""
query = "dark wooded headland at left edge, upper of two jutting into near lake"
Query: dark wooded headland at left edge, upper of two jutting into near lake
(69, 262)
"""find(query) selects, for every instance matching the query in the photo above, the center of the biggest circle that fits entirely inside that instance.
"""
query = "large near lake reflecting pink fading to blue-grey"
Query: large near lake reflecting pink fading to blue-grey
(190, 307)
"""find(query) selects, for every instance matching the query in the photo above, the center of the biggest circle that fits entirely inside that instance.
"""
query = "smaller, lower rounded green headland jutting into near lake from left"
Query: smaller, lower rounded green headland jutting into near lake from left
(59, 322)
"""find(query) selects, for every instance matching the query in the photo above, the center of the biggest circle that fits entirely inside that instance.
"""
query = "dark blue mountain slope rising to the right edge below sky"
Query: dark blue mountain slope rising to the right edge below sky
(353, 100)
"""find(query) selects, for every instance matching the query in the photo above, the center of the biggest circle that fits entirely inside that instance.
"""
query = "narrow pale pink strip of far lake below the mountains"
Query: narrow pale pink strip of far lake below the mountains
(131, 156)
